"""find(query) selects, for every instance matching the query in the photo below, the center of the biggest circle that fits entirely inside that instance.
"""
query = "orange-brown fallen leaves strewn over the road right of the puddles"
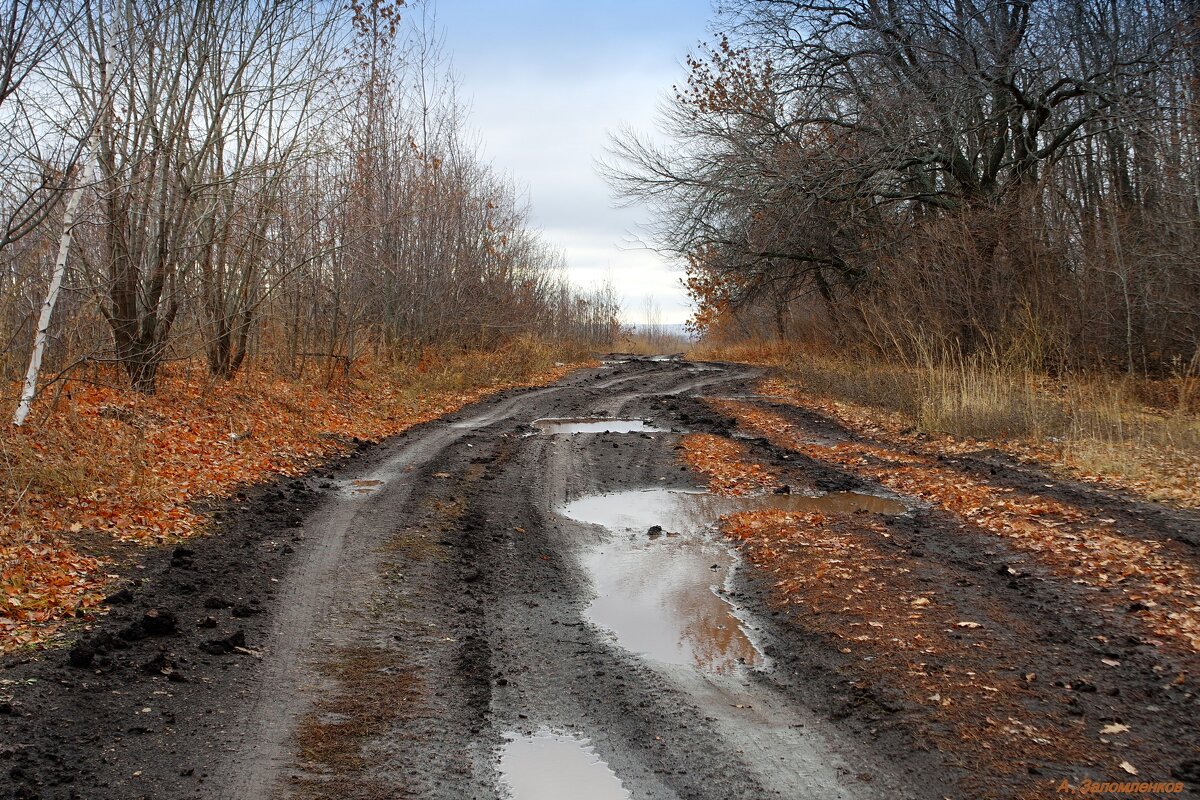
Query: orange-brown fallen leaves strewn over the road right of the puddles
(837, 575)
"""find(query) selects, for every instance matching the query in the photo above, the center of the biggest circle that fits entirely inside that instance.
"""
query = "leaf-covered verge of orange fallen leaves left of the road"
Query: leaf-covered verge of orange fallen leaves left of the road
(112, 466)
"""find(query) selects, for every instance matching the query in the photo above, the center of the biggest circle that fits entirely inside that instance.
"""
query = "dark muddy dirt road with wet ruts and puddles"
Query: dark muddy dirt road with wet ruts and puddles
(526, 599)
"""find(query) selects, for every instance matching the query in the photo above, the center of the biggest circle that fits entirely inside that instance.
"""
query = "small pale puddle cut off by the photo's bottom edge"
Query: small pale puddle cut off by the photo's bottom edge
(551, 767)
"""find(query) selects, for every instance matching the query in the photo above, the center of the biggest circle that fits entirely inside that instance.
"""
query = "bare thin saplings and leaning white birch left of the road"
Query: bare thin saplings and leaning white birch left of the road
(291, 181)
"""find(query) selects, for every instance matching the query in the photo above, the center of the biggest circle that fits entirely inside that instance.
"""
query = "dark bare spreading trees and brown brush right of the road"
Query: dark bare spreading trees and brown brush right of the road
(1013, 178)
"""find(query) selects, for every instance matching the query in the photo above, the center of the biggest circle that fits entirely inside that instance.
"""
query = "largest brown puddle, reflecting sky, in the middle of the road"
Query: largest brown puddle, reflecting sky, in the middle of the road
(659, 582)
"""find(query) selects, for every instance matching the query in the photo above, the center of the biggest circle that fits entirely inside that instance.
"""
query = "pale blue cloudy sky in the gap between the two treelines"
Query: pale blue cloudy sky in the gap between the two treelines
(548, 81)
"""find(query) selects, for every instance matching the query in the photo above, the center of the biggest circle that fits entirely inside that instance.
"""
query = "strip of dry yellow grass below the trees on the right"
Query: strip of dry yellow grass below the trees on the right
(1097, 428)
